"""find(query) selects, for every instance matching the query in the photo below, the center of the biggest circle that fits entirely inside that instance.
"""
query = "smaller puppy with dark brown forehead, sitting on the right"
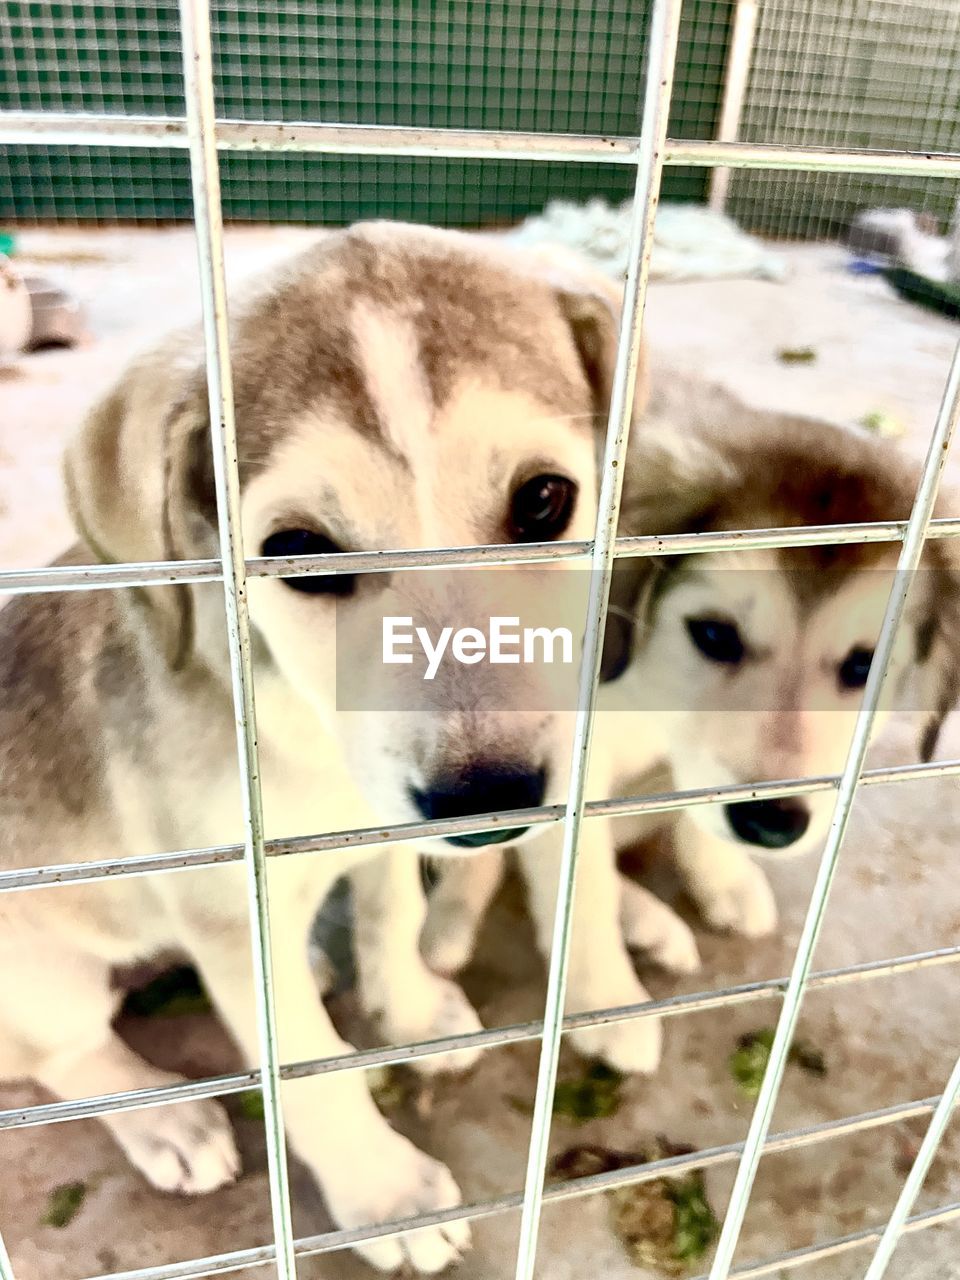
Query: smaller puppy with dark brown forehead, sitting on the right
(742, 666)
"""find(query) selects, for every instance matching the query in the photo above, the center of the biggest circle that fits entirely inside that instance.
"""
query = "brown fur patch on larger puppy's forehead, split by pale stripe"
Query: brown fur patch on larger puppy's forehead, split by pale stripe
(294, 348)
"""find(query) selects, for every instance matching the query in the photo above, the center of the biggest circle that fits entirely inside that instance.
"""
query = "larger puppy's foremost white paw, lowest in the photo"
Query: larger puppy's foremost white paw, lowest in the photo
(403, 1182)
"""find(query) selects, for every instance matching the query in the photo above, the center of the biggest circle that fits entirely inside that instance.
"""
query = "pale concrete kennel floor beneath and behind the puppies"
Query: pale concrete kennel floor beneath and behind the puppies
(885, 1043)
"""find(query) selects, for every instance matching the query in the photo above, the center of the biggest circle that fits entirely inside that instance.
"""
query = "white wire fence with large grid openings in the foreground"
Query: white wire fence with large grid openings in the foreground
(204, 136)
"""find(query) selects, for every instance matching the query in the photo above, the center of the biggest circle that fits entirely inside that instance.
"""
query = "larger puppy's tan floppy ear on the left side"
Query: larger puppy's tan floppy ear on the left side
(139, 478)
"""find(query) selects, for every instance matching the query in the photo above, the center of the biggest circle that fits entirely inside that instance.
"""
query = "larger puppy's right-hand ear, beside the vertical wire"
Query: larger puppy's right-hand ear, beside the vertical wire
(592, 304)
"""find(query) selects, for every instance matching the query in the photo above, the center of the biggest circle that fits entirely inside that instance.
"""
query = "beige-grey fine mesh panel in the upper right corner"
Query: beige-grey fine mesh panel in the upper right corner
(849, 74)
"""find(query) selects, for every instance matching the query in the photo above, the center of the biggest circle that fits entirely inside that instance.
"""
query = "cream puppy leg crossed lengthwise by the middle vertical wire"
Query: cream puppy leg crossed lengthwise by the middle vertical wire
(601, 971)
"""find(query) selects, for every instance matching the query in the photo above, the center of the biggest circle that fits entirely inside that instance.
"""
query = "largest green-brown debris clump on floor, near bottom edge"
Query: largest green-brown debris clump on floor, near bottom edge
(666, 1224)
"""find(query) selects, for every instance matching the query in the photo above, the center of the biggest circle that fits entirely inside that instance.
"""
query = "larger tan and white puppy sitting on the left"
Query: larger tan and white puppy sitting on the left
(395, 388)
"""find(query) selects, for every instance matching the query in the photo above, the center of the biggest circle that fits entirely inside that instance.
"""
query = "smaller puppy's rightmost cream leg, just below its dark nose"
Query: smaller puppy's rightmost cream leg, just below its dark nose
(730, 889)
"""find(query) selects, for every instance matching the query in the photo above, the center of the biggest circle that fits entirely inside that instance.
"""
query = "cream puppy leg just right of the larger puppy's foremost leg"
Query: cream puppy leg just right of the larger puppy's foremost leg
(396, 986)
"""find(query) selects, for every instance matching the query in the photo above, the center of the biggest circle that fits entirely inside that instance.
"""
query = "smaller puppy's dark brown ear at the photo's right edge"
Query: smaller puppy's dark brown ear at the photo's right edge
(939, 648)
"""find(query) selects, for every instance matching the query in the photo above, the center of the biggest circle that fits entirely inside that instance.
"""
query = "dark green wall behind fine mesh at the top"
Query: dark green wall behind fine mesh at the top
(563, 66)
